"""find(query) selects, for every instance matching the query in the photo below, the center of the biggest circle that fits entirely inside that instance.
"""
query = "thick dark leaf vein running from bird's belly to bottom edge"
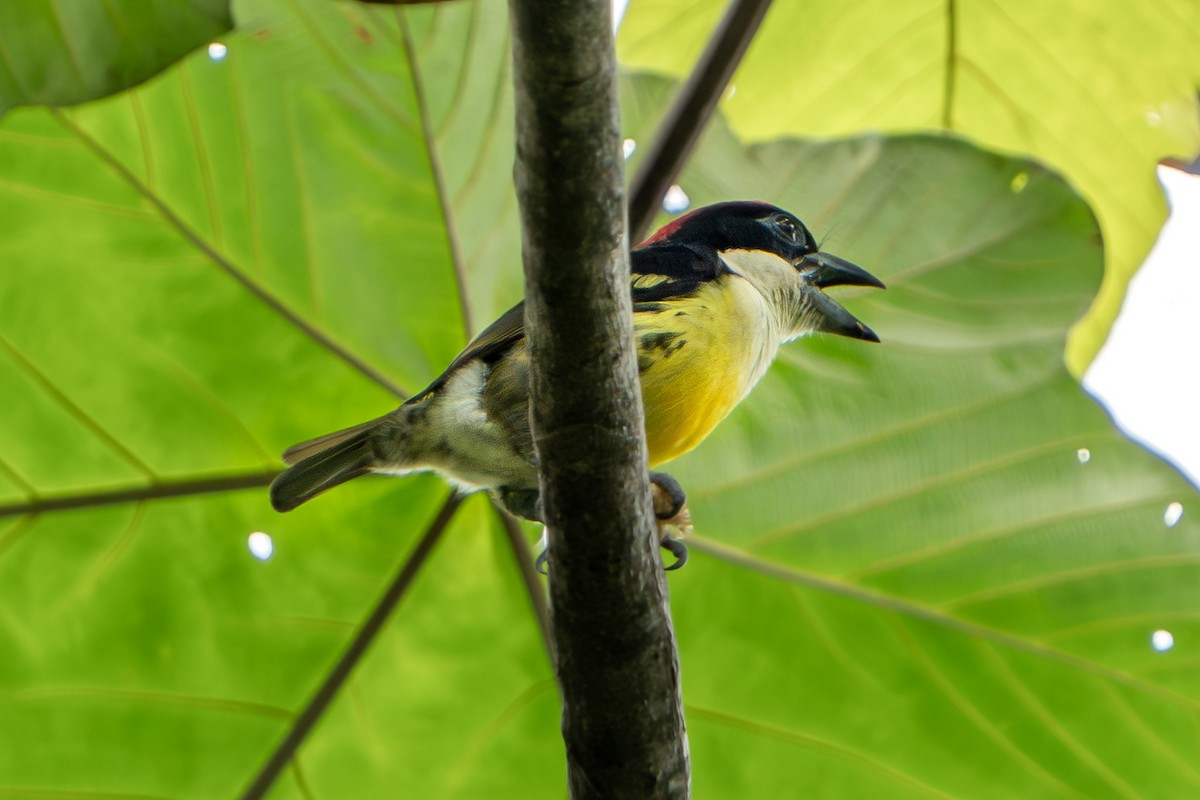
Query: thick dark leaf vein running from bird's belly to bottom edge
(338, 677)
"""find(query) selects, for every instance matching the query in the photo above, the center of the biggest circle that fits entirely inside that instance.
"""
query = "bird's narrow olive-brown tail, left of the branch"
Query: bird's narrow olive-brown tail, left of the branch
(332, 460)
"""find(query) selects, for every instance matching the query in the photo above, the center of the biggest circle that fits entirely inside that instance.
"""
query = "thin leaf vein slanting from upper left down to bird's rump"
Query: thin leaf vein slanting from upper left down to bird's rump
(220, 261)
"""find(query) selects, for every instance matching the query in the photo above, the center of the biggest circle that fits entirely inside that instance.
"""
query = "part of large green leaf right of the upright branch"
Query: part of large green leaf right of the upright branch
(916, 585)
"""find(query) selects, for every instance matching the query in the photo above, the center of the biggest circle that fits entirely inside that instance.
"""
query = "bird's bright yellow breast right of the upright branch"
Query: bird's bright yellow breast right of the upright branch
(699, 358)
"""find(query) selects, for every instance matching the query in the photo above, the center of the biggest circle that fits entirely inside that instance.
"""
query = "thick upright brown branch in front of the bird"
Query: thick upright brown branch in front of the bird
(616, 659)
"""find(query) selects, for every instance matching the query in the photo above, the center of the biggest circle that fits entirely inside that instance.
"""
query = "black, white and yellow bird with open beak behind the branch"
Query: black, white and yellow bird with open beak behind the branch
(716, 294)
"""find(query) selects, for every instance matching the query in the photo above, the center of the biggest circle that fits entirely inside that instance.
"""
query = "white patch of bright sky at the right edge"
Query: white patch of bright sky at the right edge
(1148, 374)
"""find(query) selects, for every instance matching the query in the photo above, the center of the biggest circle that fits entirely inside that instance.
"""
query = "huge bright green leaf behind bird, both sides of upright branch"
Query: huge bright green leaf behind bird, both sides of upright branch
(905, 582)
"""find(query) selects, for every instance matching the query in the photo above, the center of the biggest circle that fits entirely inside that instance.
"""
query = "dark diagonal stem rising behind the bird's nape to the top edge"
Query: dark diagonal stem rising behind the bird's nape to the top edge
(689, 113)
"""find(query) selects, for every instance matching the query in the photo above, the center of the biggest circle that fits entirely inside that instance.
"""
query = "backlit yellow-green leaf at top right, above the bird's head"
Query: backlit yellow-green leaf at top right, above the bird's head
(1101, 92)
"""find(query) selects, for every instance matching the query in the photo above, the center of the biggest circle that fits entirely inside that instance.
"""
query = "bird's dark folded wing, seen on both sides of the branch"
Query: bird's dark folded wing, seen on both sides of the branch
(659, 273)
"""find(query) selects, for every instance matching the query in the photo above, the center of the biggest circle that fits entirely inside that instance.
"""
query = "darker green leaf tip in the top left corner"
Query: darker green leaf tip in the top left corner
(65, 52)
